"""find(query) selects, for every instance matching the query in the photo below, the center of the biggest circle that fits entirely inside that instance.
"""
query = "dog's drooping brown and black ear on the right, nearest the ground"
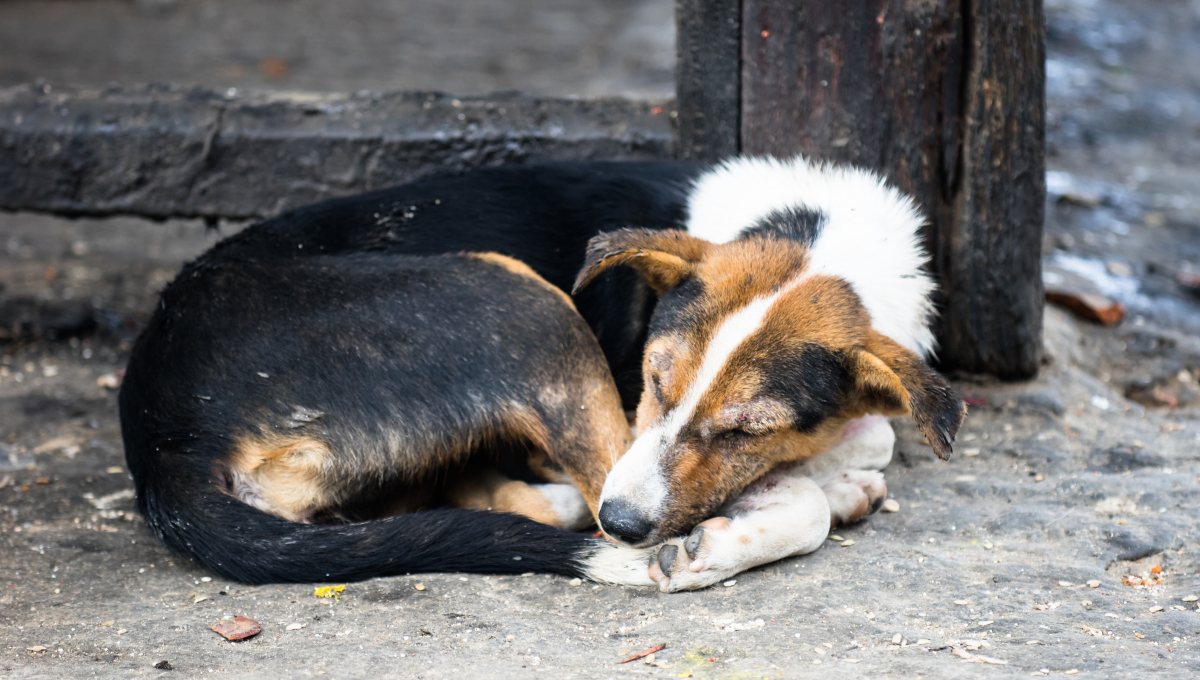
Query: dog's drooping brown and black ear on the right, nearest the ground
(893, 381)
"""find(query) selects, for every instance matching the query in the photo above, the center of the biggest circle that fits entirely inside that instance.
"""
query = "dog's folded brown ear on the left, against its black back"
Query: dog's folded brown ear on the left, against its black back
(665, 258)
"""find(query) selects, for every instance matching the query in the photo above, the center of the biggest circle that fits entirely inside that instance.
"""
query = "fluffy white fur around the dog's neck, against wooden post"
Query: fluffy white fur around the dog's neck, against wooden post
(872, 236)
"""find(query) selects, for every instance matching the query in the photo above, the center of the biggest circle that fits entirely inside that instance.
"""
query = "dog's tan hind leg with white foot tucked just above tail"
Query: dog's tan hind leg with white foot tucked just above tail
(559, 506)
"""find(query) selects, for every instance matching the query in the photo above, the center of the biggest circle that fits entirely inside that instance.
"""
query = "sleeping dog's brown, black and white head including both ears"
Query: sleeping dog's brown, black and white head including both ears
(752, 362)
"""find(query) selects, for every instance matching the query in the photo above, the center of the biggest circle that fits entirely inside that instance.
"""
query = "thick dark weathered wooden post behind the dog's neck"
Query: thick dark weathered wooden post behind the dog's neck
(946, 98)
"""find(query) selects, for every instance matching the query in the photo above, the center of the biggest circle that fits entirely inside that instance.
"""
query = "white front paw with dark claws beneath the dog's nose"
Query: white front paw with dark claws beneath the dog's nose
(698, 561)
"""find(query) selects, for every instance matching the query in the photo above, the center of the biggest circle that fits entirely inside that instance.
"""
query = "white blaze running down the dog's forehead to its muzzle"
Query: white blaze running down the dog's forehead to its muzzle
(639, 478)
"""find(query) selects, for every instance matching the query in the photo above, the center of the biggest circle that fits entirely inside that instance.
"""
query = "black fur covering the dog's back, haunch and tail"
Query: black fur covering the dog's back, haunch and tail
(325, 310)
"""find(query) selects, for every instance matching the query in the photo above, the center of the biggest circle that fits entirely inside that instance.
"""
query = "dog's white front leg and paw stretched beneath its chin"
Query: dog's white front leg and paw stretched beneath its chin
(784, 514)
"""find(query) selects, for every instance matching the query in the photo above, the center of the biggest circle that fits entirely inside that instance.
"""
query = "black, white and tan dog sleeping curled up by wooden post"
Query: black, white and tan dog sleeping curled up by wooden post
(346, 390)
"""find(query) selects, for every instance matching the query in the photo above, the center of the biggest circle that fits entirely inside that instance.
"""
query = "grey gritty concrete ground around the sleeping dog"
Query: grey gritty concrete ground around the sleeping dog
(1013, 559)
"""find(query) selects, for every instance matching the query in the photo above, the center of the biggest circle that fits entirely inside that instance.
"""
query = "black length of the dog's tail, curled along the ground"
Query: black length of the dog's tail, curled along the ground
(244, 544)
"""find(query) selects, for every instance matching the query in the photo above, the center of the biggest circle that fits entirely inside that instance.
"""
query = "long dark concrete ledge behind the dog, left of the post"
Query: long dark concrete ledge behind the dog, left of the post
(163, 152)
